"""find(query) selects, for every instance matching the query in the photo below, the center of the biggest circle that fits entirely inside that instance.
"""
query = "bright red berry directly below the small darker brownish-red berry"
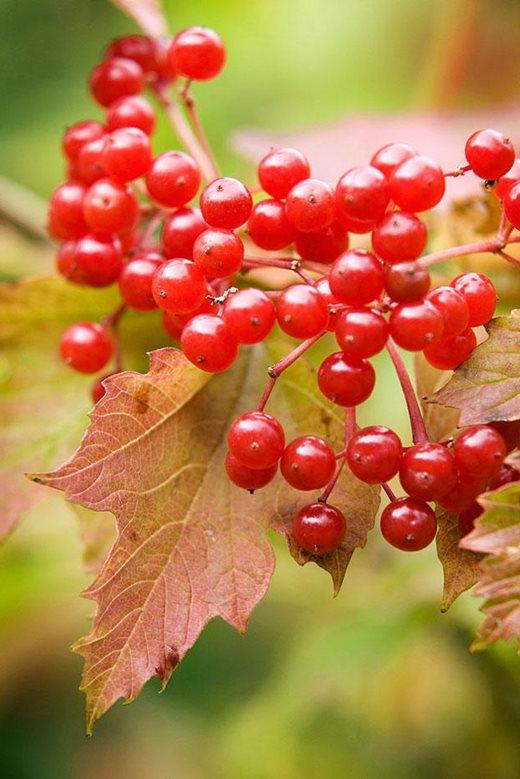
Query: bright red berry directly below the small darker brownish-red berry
(414, 326)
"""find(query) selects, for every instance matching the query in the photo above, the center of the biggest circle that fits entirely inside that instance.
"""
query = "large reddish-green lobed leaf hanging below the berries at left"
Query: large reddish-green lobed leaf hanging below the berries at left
(190, 545)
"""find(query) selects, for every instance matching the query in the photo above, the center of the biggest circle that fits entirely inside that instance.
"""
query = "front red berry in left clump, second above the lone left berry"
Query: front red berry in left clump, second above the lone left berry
(110, 207)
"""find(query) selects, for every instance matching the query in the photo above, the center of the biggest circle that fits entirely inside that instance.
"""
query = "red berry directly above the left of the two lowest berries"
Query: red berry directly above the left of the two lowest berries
(308, 463)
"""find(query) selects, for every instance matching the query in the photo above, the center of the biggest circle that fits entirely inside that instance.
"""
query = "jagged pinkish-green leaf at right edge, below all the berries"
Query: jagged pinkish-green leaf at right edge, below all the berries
(497, 535)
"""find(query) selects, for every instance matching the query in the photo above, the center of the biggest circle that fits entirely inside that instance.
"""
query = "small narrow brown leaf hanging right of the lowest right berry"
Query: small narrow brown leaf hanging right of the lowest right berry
(460, 566)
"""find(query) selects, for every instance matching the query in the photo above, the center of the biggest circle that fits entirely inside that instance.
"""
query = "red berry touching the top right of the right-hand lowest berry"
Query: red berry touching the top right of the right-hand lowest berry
(428, 471)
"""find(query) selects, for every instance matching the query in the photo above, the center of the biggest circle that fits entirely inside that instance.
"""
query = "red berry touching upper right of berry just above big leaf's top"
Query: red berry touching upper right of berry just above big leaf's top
(250, 315)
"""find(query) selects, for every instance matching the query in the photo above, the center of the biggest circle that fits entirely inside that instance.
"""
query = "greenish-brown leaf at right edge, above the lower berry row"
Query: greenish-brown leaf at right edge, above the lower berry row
(486, 388)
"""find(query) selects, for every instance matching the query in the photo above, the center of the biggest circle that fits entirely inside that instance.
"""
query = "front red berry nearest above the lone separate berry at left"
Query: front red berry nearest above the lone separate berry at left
(99, 259)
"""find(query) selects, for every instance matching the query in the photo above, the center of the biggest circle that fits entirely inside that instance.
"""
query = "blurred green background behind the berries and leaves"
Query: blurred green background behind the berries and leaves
(377, 679)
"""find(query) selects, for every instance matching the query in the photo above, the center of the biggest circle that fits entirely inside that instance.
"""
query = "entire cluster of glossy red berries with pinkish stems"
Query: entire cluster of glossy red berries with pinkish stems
(127, 216)
